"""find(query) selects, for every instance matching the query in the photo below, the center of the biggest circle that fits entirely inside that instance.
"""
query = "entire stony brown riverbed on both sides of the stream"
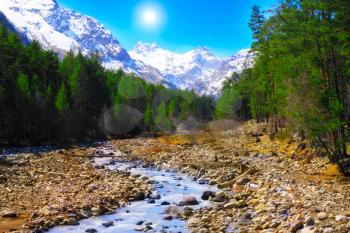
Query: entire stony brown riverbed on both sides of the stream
(267, 182)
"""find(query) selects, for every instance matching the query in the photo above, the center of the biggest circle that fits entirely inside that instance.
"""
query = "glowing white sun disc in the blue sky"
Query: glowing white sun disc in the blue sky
(150, 16)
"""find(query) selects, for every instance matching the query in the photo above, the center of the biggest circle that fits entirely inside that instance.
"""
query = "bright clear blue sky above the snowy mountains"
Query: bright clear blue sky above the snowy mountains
(220, 25)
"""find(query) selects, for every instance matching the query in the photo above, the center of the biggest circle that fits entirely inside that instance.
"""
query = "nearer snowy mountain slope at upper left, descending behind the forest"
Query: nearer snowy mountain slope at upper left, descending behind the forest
(61, 30)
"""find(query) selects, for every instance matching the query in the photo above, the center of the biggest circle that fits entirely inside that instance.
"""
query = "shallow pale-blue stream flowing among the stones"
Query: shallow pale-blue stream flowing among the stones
(144, 215)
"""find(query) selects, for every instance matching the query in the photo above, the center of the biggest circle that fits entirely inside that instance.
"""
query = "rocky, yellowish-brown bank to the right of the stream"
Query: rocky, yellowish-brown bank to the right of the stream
(270, 183)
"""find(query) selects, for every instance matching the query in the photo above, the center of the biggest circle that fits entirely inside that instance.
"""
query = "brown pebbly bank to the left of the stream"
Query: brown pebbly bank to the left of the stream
(61, 187)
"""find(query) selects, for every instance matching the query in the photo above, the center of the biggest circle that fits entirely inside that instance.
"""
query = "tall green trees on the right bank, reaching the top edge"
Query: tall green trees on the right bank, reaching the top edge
(300, 80)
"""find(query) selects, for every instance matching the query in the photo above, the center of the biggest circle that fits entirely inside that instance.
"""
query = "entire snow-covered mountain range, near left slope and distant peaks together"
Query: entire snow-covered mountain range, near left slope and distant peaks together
(61, 30)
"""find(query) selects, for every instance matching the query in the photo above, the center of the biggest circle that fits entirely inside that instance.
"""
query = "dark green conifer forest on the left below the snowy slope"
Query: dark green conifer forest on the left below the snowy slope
(43, 99)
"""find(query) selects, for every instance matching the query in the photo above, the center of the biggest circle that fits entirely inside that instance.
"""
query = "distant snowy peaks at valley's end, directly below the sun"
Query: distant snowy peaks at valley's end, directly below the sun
(198, 69)
